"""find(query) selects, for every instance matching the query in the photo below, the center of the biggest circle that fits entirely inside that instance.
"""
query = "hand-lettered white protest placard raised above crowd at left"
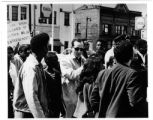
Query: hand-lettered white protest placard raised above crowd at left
(18, 32)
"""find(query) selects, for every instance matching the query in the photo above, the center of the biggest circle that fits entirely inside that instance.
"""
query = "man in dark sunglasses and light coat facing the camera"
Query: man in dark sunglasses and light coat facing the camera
(71, 67)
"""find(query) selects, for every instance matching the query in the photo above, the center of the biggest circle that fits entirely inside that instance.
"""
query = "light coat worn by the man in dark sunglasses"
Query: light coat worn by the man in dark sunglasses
(71, 70)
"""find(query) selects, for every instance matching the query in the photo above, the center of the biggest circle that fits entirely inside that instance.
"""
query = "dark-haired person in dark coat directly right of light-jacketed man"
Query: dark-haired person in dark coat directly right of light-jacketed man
(54, 88)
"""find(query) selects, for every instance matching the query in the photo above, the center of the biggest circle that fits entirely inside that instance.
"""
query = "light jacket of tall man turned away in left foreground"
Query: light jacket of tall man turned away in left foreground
(29, 93)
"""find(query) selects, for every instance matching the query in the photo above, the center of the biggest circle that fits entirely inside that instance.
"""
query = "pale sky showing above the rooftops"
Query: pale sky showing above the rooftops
(134, 7)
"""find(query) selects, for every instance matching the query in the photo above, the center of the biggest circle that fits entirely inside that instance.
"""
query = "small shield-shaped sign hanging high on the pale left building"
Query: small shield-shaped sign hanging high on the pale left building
(46, 9)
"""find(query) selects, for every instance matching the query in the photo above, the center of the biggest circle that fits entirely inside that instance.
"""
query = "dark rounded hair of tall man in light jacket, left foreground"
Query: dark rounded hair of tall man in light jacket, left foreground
(38, 42)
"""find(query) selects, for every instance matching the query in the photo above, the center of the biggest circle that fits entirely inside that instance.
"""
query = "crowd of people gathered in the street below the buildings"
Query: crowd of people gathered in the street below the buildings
(82, 84)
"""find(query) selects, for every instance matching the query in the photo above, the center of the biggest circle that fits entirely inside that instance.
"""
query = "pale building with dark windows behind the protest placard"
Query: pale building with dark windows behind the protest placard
(46, 18)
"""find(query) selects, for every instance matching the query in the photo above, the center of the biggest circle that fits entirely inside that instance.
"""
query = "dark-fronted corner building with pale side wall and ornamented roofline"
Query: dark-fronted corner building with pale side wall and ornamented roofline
(95, 22)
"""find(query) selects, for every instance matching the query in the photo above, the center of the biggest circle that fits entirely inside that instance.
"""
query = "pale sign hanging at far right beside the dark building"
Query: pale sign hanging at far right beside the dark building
(139, 23)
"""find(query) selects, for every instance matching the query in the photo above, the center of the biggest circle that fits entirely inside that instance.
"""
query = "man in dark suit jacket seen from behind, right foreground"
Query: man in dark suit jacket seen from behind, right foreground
(120, 88)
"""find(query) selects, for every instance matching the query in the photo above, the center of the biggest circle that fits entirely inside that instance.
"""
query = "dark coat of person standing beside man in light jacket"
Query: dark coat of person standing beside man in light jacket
(54, 95)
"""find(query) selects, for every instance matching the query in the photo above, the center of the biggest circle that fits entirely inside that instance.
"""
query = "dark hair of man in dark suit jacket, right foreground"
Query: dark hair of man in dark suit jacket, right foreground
(123, 52)
